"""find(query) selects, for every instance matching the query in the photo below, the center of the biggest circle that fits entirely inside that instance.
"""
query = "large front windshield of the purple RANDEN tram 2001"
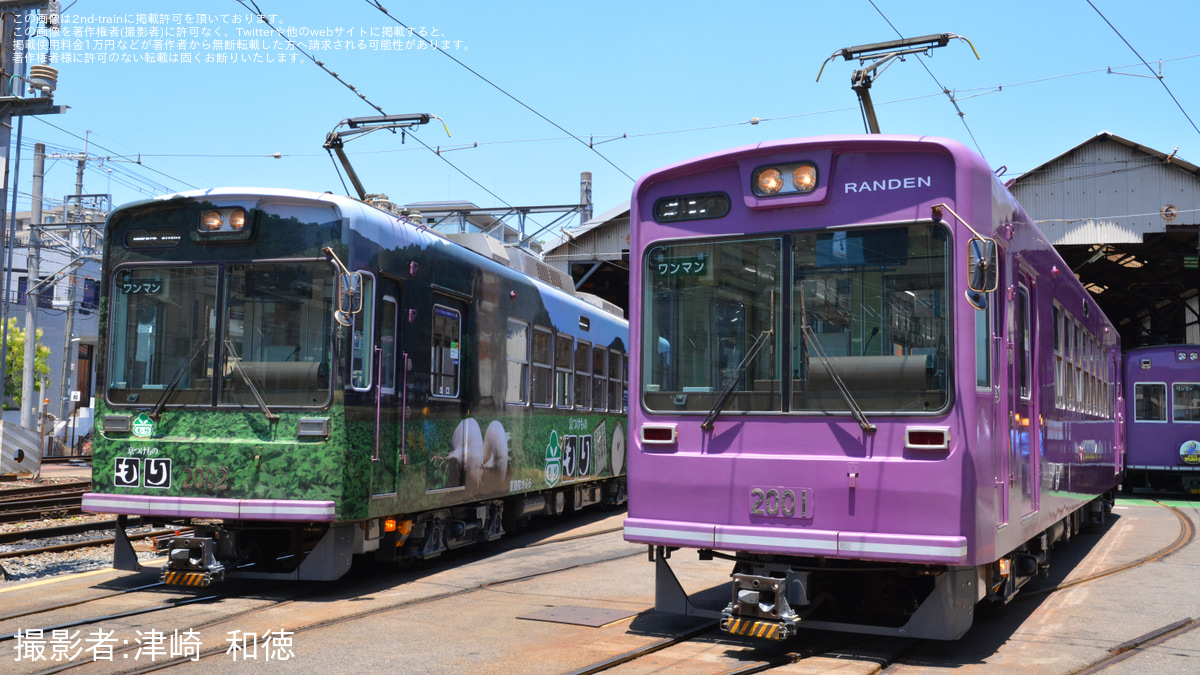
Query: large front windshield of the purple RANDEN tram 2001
(867, 308)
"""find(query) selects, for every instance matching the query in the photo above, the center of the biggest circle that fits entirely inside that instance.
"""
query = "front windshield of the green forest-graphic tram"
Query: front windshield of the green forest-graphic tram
(194, 336)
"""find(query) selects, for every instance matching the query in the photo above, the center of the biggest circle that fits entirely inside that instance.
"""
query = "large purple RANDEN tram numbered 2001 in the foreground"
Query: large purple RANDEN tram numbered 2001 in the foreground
(861, 374)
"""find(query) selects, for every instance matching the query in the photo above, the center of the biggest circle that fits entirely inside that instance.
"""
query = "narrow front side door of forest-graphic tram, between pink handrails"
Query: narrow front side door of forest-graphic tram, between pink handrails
(389, 366)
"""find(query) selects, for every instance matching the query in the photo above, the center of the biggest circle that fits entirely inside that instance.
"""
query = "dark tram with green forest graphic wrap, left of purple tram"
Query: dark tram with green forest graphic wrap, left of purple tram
(303, 378)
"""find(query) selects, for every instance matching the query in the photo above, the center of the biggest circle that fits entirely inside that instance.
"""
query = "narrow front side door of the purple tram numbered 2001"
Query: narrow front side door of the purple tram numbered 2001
(1024, 426)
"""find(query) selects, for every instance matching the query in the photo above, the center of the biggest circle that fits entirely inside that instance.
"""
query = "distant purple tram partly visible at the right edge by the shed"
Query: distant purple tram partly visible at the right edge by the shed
(1163, 417)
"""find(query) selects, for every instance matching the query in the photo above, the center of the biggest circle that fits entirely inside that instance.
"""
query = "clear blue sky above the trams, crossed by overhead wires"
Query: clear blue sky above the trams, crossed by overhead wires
(679, 80)
